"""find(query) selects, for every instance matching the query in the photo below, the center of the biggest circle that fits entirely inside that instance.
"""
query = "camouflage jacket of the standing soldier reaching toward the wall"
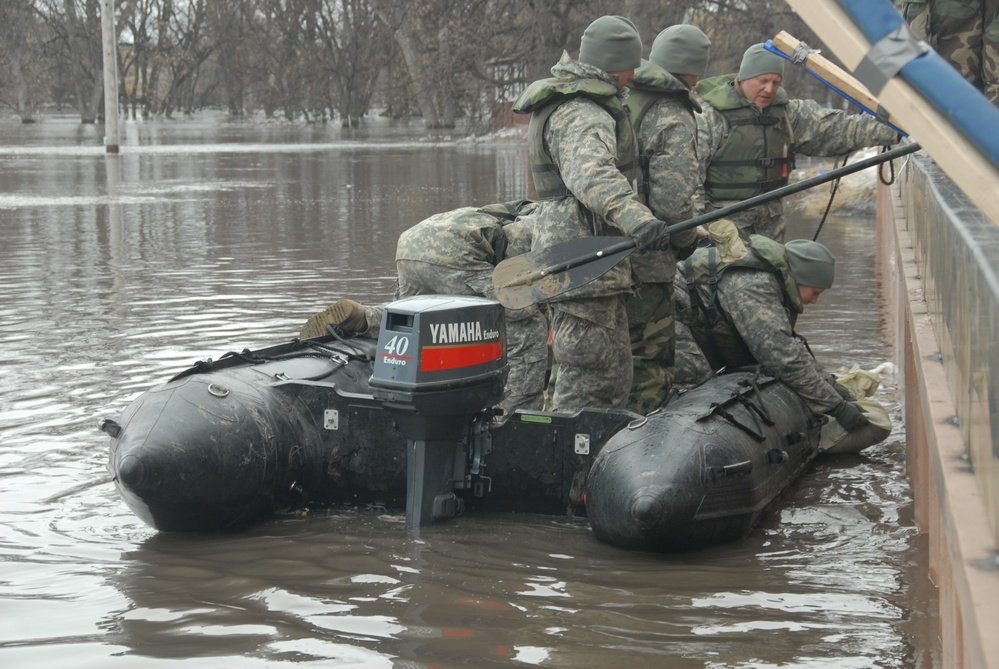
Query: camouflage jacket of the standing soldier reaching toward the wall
(808, 128)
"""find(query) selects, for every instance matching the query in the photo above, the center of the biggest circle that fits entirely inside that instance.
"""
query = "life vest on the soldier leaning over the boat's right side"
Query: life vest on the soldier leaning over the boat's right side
(716, 336)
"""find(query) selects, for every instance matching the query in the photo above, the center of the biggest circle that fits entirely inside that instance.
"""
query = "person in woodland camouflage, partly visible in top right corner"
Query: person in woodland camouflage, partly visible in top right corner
(964, 32)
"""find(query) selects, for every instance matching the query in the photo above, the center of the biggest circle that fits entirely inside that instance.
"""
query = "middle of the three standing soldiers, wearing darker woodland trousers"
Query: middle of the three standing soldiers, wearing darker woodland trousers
(662, 112)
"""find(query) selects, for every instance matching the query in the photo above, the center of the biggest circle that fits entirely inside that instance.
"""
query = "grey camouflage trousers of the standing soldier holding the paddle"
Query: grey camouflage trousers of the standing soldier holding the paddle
(591, 345)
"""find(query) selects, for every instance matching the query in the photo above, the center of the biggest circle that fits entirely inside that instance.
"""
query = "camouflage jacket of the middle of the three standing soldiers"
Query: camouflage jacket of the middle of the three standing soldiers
(662, 110)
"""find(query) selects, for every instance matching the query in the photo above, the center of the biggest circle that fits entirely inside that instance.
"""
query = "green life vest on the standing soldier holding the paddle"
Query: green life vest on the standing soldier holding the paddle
(542, 98)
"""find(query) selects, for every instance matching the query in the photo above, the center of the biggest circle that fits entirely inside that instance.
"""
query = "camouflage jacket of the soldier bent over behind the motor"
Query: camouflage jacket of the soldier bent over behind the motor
(469, 238)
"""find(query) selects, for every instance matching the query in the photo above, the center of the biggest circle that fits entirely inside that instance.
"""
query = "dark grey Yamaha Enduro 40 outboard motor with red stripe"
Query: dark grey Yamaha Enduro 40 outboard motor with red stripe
(440, 361)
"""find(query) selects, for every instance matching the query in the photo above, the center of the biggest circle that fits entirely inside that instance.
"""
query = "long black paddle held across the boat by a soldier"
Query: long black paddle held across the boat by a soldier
(538, 276)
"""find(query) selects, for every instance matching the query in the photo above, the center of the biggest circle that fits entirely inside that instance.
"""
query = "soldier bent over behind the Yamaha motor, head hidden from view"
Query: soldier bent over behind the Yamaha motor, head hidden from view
(454, 253)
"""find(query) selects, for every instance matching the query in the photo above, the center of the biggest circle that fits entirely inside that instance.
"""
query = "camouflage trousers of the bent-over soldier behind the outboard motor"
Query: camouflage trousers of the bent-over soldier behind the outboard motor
(526, 329)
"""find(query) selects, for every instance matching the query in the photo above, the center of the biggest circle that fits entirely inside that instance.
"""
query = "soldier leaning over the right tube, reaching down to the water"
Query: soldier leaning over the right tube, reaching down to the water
(743, 313)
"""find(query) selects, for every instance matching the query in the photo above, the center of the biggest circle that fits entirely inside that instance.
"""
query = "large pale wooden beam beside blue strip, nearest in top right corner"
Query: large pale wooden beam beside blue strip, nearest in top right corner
(956, 156)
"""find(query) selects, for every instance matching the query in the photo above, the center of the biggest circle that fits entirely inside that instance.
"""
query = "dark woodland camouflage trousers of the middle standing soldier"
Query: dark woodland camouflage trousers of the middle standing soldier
(653, 334)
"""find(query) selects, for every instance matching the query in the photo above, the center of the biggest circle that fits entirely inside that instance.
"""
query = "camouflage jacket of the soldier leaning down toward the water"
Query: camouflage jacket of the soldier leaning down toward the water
(757, 314)
